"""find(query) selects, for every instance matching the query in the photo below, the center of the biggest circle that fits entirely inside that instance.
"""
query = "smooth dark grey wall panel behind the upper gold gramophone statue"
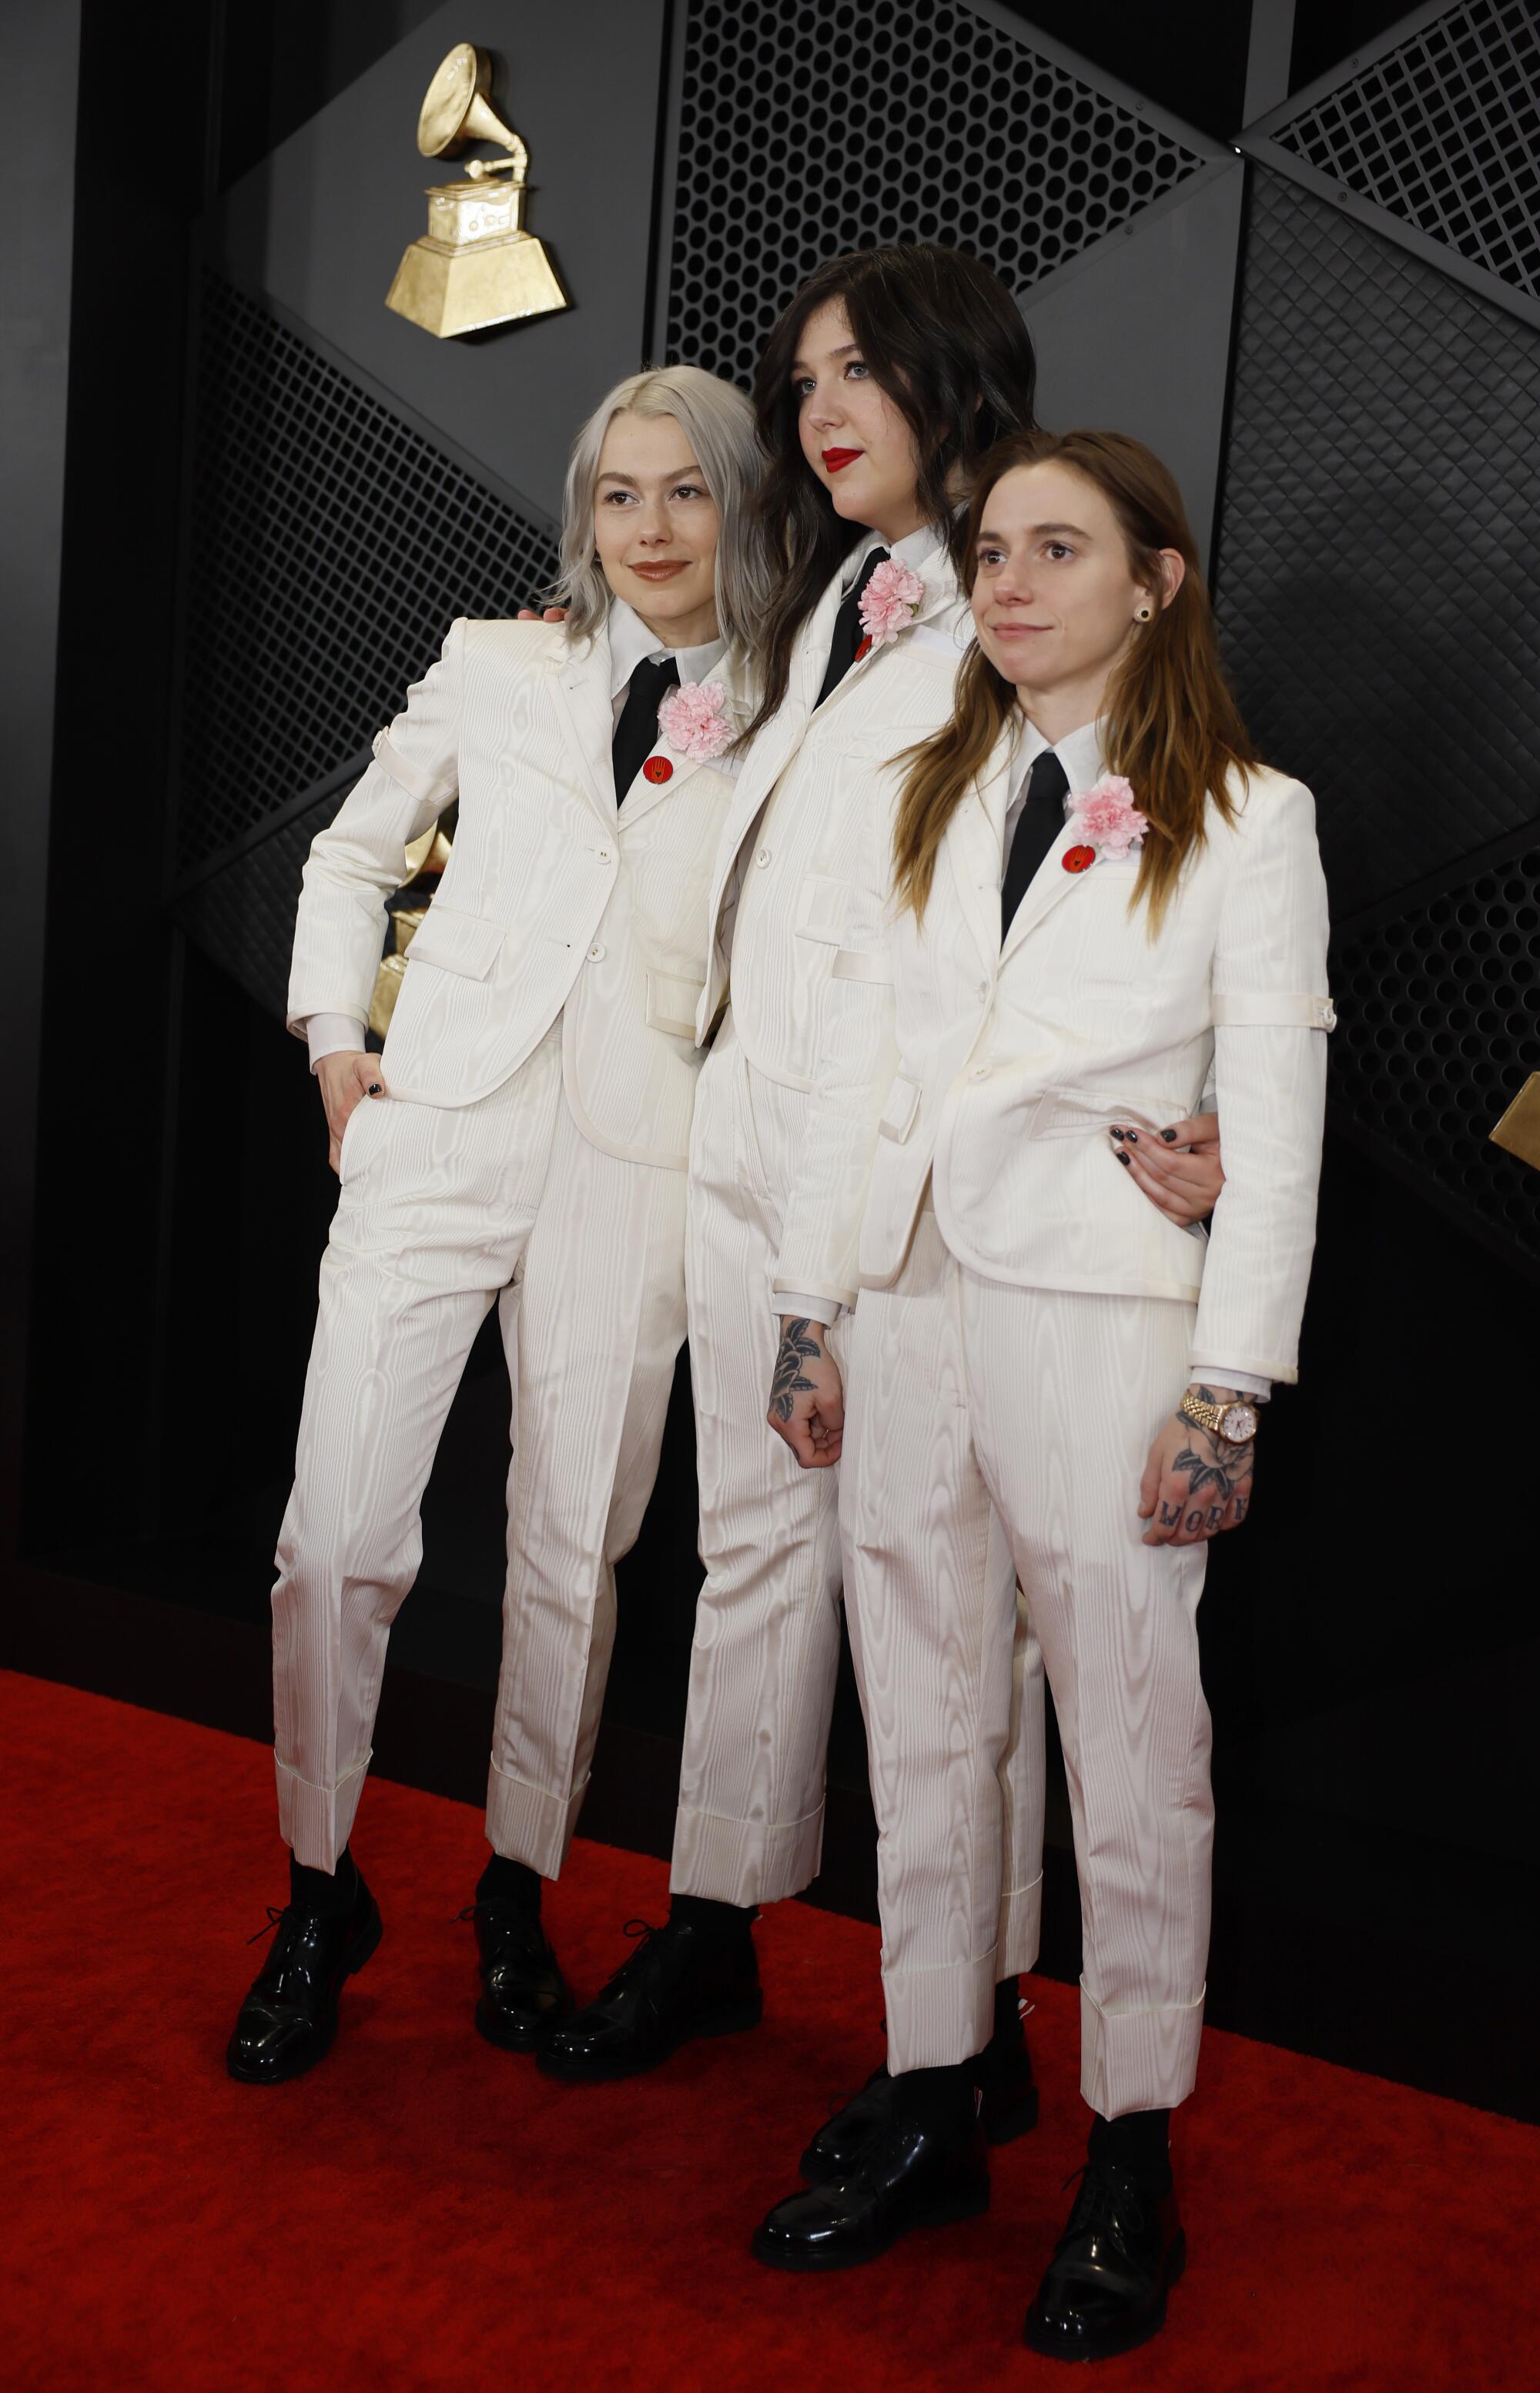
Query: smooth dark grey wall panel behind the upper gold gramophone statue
(324, 221)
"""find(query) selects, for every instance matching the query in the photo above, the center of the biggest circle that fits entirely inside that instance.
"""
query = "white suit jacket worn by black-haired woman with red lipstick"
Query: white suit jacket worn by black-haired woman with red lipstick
(790, 860)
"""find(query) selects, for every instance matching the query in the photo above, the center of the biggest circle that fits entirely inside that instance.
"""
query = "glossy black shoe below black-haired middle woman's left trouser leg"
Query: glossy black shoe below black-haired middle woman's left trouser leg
(676, 1985)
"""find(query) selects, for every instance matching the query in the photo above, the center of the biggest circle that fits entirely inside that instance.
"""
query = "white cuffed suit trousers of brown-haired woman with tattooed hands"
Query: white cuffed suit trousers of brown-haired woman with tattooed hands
(1041, 1406)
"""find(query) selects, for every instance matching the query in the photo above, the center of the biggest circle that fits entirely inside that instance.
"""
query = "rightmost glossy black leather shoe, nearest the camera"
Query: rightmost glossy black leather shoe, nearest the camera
(1111, 2275)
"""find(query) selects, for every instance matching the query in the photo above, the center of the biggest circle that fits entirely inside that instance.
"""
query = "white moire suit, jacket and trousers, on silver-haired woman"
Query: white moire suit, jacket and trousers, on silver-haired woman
(530, 1150)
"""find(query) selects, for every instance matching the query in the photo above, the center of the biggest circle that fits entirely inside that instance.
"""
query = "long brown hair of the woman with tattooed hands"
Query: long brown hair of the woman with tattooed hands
(1171, 721)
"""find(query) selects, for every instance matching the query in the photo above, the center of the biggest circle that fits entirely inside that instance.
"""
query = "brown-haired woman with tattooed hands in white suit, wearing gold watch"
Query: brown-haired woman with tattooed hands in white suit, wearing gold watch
(1096, 896)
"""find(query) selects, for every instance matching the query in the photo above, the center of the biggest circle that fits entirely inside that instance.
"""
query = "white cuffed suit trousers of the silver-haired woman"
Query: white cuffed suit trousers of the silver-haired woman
(444, 1214)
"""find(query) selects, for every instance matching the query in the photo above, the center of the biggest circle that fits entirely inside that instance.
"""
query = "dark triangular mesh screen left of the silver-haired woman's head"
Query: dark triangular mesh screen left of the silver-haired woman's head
(331, 549)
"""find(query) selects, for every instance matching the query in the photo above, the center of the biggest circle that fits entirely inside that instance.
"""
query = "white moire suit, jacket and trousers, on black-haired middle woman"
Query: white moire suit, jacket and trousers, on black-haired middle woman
(769, 1619)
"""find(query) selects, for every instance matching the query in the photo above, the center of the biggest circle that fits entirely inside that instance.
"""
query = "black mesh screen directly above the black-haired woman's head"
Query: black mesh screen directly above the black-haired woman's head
(807, 130)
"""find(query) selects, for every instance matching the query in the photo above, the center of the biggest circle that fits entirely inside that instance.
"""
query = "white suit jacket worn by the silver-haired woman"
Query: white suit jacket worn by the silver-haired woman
(554, 901)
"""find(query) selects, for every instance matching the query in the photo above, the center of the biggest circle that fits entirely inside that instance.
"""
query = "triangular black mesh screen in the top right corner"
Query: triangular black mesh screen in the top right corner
(1446, 133)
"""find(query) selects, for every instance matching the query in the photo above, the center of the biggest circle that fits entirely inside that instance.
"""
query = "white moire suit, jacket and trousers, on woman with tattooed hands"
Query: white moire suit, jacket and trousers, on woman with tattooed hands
(1022, 1344)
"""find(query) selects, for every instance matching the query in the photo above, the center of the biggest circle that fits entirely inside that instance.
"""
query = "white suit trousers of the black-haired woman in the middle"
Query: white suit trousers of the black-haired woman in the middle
(766, 1645)
